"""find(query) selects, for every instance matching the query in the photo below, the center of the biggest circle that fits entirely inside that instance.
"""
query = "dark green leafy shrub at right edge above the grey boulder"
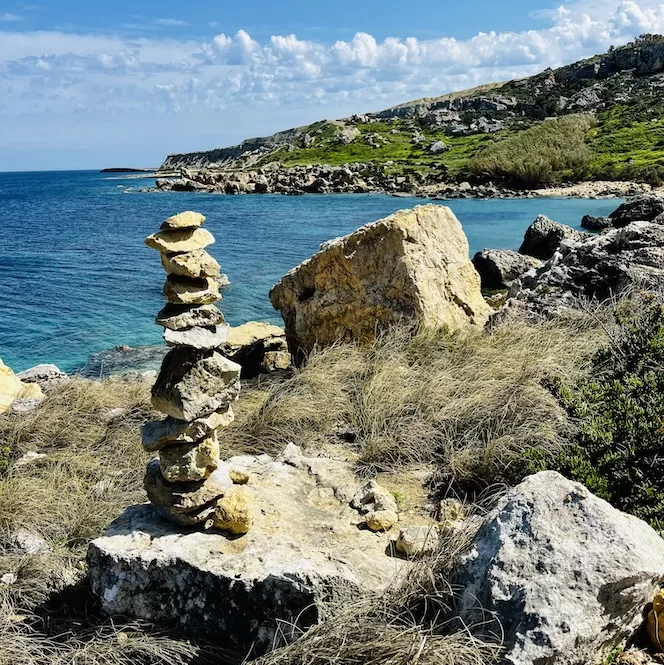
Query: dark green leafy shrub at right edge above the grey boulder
(618, 452)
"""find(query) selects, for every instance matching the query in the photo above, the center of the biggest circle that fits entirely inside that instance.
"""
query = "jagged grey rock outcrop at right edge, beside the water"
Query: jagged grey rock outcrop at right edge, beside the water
(595, 267)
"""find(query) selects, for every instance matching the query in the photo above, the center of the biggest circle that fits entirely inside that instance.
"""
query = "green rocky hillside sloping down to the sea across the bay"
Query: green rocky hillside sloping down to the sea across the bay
(595, 119)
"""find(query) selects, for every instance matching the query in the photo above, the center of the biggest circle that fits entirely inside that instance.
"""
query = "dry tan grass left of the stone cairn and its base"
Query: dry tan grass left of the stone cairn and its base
(93, 470)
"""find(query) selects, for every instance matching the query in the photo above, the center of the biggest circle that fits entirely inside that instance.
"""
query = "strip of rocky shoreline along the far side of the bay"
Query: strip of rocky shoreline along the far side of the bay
(369, 178)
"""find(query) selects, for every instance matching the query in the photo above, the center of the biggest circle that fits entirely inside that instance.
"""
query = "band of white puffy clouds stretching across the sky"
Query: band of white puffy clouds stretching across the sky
(56, 71)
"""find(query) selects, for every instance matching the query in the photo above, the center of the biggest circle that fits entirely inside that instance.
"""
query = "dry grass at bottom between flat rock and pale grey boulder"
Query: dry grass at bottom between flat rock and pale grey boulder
(411, 623)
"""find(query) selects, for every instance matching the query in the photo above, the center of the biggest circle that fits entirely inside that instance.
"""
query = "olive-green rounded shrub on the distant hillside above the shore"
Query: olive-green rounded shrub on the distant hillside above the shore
(545, 153)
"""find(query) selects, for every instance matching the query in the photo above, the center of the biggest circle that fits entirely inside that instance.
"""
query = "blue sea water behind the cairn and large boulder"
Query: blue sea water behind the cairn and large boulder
(77, 278)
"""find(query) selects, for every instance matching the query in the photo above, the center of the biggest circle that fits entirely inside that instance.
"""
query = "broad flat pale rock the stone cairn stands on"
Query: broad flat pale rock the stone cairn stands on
(307, 547)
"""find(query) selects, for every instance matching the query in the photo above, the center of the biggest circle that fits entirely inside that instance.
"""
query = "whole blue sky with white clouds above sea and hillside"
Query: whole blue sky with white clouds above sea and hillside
(88, 85)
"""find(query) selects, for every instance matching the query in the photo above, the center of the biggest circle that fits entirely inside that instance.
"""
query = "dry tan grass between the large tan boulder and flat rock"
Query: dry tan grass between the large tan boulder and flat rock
(471, 403)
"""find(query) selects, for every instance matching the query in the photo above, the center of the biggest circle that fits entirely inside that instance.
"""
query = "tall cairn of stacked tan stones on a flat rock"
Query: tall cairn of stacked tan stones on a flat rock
(195, 387)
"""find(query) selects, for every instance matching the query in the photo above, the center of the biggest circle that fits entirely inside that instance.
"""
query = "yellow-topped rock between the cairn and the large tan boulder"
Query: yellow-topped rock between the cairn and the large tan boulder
(258, 347)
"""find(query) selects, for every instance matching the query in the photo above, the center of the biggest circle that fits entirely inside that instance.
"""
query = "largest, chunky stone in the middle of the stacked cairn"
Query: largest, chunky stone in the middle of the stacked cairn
(192, 384)
